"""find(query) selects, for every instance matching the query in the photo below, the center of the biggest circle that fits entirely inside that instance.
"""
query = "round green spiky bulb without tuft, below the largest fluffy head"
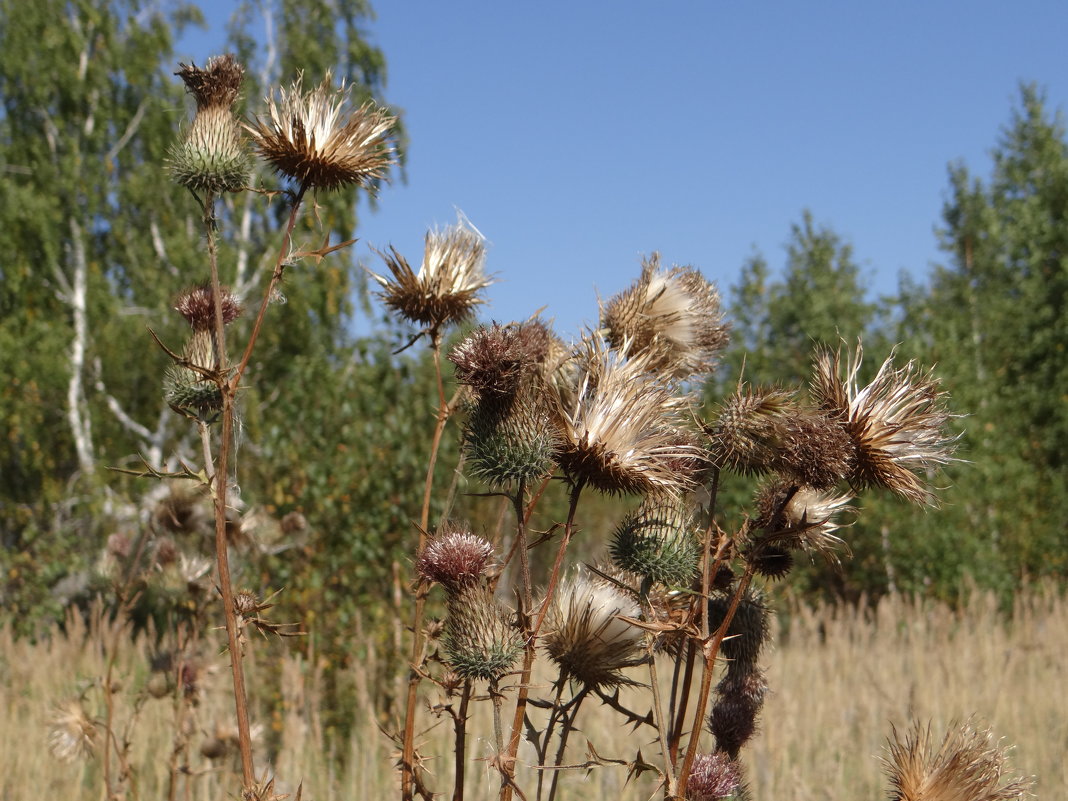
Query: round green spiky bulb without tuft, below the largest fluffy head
(659, 543)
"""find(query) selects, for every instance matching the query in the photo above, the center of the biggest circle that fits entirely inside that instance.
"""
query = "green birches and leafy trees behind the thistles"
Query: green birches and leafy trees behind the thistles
(97, 245)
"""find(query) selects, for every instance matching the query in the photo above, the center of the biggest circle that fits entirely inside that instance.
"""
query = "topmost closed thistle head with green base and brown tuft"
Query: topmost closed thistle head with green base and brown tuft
(213, 156)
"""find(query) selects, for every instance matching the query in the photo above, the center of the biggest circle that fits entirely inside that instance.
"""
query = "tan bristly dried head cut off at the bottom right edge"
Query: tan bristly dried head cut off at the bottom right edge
(968, 766)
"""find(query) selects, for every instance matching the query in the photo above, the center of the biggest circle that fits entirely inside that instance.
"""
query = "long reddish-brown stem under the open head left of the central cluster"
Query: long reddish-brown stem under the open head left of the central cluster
(409, 749)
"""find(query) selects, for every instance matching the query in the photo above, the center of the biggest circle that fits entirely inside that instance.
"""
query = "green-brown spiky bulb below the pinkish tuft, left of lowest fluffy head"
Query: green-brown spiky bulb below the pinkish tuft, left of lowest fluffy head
(480, 641)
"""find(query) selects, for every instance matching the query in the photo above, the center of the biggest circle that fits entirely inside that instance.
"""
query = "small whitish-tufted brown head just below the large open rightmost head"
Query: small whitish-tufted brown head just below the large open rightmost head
(805, 517)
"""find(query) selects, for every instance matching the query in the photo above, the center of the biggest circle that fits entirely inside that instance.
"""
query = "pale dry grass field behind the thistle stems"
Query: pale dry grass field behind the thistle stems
(840, 679)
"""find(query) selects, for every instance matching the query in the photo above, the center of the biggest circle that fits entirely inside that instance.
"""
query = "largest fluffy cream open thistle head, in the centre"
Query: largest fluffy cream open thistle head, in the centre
(621, 433)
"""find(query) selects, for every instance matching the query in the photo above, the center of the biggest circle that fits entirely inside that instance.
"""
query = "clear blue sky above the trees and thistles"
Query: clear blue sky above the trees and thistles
(580, 136)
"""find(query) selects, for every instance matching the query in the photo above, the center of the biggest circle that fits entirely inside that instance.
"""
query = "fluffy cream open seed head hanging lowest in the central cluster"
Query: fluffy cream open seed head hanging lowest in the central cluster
(587, 638)
